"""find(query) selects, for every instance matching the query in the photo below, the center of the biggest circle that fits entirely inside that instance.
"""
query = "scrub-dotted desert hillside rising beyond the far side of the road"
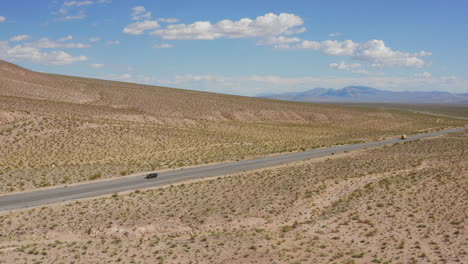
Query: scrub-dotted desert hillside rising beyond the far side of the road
(60, 129)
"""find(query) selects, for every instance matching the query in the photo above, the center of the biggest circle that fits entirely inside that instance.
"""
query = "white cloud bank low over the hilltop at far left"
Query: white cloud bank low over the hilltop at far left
(35, 55)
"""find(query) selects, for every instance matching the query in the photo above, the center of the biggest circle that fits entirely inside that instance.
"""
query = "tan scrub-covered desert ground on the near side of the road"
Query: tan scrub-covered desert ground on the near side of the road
(398, 204)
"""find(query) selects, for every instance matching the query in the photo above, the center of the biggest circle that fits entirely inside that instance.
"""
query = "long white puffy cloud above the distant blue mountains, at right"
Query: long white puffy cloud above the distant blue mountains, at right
(373, 51)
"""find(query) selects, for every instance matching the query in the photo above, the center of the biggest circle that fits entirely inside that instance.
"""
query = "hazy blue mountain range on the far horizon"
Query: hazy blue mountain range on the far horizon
(367, 94)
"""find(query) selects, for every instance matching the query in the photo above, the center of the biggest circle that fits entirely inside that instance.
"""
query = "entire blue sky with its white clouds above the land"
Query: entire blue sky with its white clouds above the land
(243, 47)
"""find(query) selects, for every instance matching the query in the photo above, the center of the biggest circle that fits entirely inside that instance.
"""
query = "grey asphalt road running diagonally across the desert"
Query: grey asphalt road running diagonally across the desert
(88, 190)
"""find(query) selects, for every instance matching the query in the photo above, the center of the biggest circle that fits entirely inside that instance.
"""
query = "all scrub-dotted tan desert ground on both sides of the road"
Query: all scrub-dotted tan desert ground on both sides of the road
(404, 203)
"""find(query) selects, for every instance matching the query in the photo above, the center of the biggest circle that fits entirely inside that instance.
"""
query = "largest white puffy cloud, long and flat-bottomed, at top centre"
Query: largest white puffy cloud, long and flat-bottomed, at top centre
(263, 26)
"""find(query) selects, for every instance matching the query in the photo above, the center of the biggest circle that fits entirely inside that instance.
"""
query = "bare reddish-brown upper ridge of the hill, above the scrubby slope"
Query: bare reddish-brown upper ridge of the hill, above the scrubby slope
(150, 100)
